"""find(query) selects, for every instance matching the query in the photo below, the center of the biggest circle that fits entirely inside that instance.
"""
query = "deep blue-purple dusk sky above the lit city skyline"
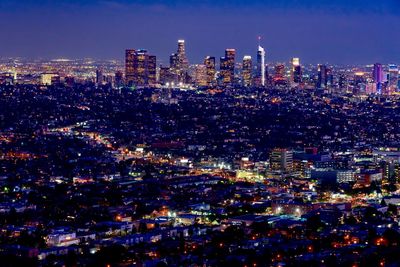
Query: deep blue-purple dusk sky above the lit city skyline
(320, 31)
